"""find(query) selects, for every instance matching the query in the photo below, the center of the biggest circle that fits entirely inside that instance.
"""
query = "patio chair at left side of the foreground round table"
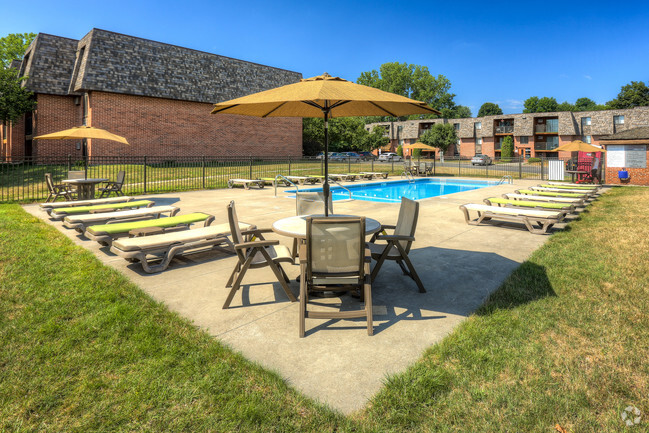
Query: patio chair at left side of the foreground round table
(255, 254)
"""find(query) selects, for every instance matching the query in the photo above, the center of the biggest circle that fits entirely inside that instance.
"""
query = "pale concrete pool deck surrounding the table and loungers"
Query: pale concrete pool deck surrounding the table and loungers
(337, 363)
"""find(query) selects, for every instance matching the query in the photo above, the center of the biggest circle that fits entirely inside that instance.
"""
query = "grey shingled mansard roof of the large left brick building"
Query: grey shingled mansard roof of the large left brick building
(111, 62)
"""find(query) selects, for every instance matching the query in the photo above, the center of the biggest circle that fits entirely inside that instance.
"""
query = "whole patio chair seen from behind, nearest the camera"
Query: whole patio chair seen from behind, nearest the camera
(336, 260)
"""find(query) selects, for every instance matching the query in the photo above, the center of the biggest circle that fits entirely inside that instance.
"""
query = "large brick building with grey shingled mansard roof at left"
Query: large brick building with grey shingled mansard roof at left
(158, 96)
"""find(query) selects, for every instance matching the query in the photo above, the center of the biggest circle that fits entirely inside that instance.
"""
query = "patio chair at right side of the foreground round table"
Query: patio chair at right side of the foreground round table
(399, 242)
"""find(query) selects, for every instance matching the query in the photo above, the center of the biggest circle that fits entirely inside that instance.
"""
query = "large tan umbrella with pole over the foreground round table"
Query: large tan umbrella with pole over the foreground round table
(323, 96)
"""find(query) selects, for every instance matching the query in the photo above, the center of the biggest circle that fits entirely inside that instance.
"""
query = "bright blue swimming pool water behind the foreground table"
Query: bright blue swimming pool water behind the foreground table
(392, 191)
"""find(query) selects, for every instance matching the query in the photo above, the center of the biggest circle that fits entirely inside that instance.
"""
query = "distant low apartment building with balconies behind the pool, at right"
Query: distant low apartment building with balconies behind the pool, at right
(534, 134)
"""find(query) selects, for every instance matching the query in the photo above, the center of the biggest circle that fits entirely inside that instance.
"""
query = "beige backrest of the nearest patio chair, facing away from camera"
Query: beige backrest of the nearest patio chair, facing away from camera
(335, 249)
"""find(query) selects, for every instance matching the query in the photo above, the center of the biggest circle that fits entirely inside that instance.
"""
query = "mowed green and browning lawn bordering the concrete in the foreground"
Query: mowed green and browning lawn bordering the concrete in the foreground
(562, 344)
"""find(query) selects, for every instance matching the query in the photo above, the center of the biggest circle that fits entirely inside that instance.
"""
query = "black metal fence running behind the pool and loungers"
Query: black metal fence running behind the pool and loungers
(24, 181)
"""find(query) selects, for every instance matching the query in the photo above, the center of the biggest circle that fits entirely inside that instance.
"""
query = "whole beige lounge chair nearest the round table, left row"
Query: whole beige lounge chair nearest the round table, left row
(164, 247)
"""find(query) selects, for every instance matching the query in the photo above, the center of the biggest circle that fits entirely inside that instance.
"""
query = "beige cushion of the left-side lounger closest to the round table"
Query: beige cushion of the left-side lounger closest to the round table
(180, 237)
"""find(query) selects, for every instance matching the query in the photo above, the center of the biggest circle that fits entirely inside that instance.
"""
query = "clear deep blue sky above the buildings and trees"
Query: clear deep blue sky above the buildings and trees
(502, 52)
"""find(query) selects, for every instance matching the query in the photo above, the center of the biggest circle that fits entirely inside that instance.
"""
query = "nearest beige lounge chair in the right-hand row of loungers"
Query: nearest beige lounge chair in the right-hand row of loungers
(545, 219)
